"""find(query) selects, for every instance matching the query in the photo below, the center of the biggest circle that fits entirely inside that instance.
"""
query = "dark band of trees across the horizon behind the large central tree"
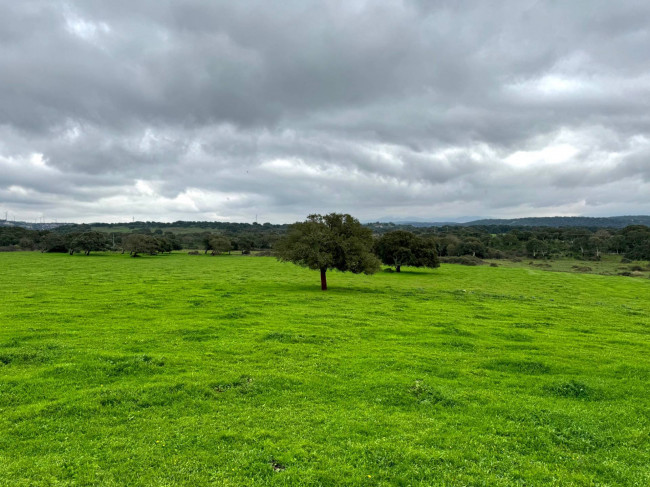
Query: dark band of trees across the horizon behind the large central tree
(408, 248)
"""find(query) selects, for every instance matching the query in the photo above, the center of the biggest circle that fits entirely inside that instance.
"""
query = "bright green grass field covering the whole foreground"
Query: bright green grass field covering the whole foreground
(198, 370)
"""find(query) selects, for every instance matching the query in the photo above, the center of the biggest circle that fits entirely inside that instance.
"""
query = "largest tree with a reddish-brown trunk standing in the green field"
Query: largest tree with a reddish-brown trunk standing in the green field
(333, 241)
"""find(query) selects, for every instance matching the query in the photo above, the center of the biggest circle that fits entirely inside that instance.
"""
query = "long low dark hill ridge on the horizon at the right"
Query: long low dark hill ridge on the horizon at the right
(567, 221)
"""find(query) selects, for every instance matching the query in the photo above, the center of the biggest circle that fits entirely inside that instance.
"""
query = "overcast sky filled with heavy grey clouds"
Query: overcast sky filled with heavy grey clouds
(219, 110)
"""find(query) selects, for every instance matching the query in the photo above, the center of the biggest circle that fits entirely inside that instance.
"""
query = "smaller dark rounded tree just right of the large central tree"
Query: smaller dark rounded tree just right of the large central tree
(400, 248)
